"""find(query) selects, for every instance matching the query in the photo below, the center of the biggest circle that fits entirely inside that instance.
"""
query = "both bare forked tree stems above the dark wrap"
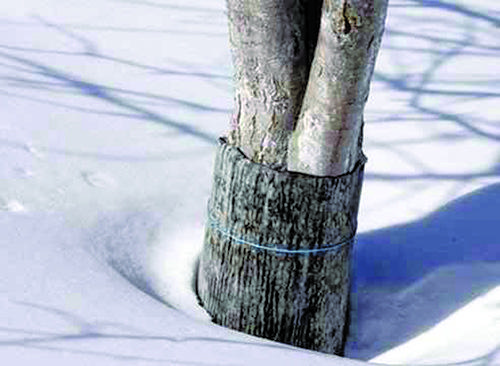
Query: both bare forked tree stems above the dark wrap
(299, 97)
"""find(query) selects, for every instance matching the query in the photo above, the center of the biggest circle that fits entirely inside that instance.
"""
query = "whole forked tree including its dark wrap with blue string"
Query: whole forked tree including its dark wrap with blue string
(283, 209)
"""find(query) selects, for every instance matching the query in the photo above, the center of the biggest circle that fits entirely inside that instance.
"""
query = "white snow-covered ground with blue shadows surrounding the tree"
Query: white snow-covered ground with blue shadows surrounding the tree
(109, 111)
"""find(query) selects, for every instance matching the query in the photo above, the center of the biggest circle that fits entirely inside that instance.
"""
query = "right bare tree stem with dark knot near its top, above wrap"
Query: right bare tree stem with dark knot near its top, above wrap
(325, 140)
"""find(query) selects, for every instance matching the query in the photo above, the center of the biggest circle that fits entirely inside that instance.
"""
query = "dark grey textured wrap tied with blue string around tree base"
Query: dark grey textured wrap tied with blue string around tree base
(276, 256)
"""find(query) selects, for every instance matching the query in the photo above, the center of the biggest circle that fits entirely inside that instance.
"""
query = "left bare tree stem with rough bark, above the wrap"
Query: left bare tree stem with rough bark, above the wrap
(272, 45)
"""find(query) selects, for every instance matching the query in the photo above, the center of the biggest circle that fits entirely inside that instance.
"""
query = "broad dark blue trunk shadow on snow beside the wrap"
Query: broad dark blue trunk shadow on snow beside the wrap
(410, 277)
